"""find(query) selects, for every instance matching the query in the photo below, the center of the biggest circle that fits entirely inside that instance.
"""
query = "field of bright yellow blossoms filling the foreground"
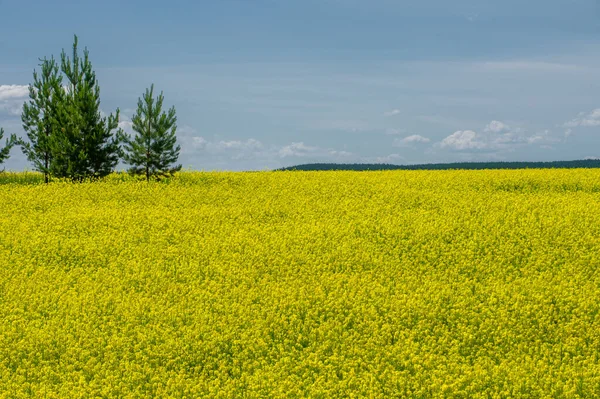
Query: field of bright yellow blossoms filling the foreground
(398, 284)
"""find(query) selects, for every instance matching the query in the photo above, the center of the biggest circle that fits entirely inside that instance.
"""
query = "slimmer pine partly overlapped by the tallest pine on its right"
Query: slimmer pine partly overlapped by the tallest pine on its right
(39, 116)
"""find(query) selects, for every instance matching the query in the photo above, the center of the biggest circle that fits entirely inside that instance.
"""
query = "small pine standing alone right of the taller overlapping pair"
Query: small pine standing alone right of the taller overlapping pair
(152, 151)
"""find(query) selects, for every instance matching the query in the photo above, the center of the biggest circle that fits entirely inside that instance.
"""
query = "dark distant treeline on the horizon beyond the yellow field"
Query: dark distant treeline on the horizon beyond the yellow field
(587, 163)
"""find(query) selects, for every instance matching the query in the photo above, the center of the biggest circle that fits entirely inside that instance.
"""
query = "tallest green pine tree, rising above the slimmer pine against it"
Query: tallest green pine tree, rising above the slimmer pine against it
(86, 146)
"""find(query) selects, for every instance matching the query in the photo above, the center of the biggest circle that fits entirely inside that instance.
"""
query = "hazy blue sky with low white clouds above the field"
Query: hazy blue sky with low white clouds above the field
(260, 84)
